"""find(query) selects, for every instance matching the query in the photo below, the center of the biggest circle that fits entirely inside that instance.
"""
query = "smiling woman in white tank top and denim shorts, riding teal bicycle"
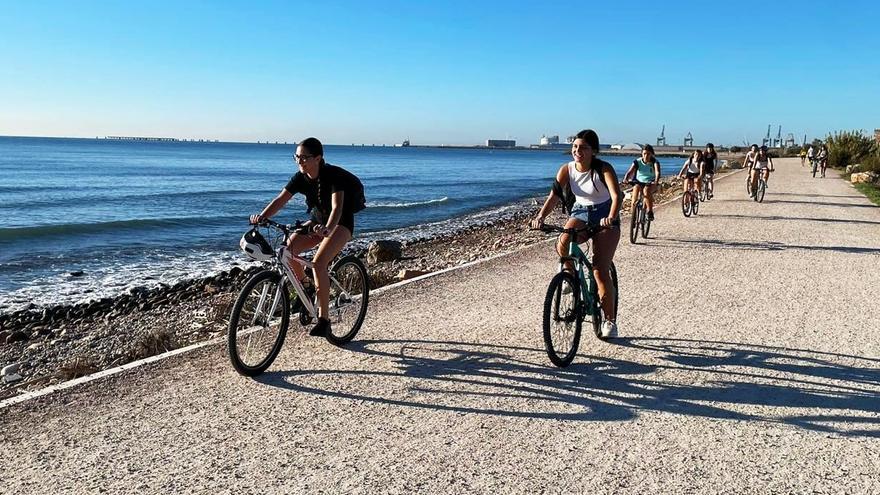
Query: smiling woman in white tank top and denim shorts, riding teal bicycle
(596, 200)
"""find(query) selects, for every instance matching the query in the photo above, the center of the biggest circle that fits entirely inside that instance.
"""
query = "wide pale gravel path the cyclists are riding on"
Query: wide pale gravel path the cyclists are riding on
(749, 363)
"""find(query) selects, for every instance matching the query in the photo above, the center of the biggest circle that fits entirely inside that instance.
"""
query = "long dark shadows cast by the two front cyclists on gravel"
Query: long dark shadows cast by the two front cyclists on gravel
(723, 380)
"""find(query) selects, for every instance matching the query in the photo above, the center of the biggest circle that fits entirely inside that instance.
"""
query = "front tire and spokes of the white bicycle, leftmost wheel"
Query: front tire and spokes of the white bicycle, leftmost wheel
(254, 337)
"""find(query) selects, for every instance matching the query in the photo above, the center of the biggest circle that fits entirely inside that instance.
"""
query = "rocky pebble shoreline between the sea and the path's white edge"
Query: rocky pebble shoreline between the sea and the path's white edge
(43, 346)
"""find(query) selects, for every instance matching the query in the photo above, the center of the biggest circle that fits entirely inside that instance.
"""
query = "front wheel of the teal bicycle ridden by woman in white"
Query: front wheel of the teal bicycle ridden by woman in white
(562, 346)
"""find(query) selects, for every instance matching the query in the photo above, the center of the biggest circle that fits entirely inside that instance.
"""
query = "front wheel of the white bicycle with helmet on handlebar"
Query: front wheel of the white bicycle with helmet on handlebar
(258, 323)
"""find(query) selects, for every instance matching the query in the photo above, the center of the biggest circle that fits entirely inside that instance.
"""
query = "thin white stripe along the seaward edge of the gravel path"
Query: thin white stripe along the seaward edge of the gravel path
(18, 399)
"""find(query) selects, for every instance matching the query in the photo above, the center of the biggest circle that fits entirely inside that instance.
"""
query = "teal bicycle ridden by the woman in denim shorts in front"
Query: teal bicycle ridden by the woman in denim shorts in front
(572, 297)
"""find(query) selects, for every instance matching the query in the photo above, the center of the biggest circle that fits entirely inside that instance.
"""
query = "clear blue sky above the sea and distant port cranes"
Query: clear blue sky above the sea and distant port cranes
(450, 72)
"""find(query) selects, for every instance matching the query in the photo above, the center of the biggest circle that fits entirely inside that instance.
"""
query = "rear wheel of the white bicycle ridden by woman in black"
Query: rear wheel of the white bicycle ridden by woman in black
(351, 272)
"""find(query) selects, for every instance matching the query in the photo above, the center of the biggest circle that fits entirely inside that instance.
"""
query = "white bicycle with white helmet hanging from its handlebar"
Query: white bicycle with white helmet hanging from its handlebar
(261, 314)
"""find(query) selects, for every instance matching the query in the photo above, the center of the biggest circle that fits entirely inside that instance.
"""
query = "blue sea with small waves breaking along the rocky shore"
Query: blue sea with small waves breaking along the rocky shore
(82, 219)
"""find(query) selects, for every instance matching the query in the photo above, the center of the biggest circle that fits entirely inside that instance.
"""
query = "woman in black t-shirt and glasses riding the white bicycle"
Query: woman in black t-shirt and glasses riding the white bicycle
(333, 196)
